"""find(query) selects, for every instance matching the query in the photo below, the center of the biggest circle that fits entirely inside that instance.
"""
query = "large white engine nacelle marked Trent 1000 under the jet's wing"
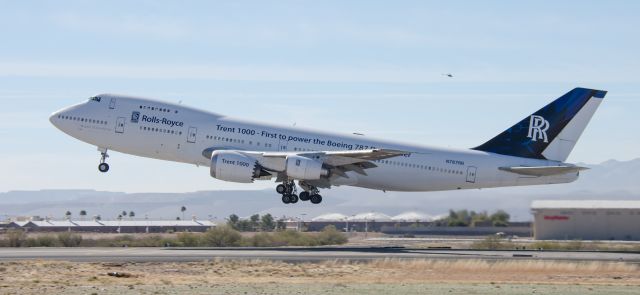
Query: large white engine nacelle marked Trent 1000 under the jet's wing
(233, 166)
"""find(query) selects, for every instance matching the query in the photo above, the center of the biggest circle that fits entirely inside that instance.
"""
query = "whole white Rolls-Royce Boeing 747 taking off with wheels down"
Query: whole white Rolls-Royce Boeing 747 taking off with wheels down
(531, 152)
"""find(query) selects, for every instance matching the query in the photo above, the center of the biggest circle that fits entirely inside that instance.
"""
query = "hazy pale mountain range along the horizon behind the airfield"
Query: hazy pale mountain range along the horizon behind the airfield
(610, 180)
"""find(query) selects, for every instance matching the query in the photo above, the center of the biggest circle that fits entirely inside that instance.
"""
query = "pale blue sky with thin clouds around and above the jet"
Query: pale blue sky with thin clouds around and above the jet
(373, 67)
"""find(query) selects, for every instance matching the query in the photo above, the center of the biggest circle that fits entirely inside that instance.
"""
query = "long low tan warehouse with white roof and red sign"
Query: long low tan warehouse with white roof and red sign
(586, 220)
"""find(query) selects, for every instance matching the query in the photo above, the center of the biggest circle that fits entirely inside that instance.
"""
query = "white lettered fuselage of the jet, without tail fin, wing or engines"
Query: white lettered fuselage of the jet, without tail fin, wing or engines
(173, 132)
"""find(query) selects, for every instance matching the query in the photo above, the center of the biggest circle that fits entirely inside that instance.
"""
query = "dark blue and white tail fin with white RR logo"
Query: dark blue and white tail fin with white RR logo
(551, 132)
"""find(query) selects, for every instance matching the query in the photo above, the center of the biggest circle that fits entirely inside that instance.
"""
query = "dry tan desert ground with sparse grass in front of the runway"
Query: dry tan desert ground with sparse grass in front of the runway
(390, 276)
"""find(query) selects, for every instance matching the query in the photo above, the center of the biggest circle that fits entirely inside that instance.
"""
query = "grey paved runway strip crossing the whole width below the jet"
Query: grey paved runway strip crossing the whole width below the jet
(298, 254)
